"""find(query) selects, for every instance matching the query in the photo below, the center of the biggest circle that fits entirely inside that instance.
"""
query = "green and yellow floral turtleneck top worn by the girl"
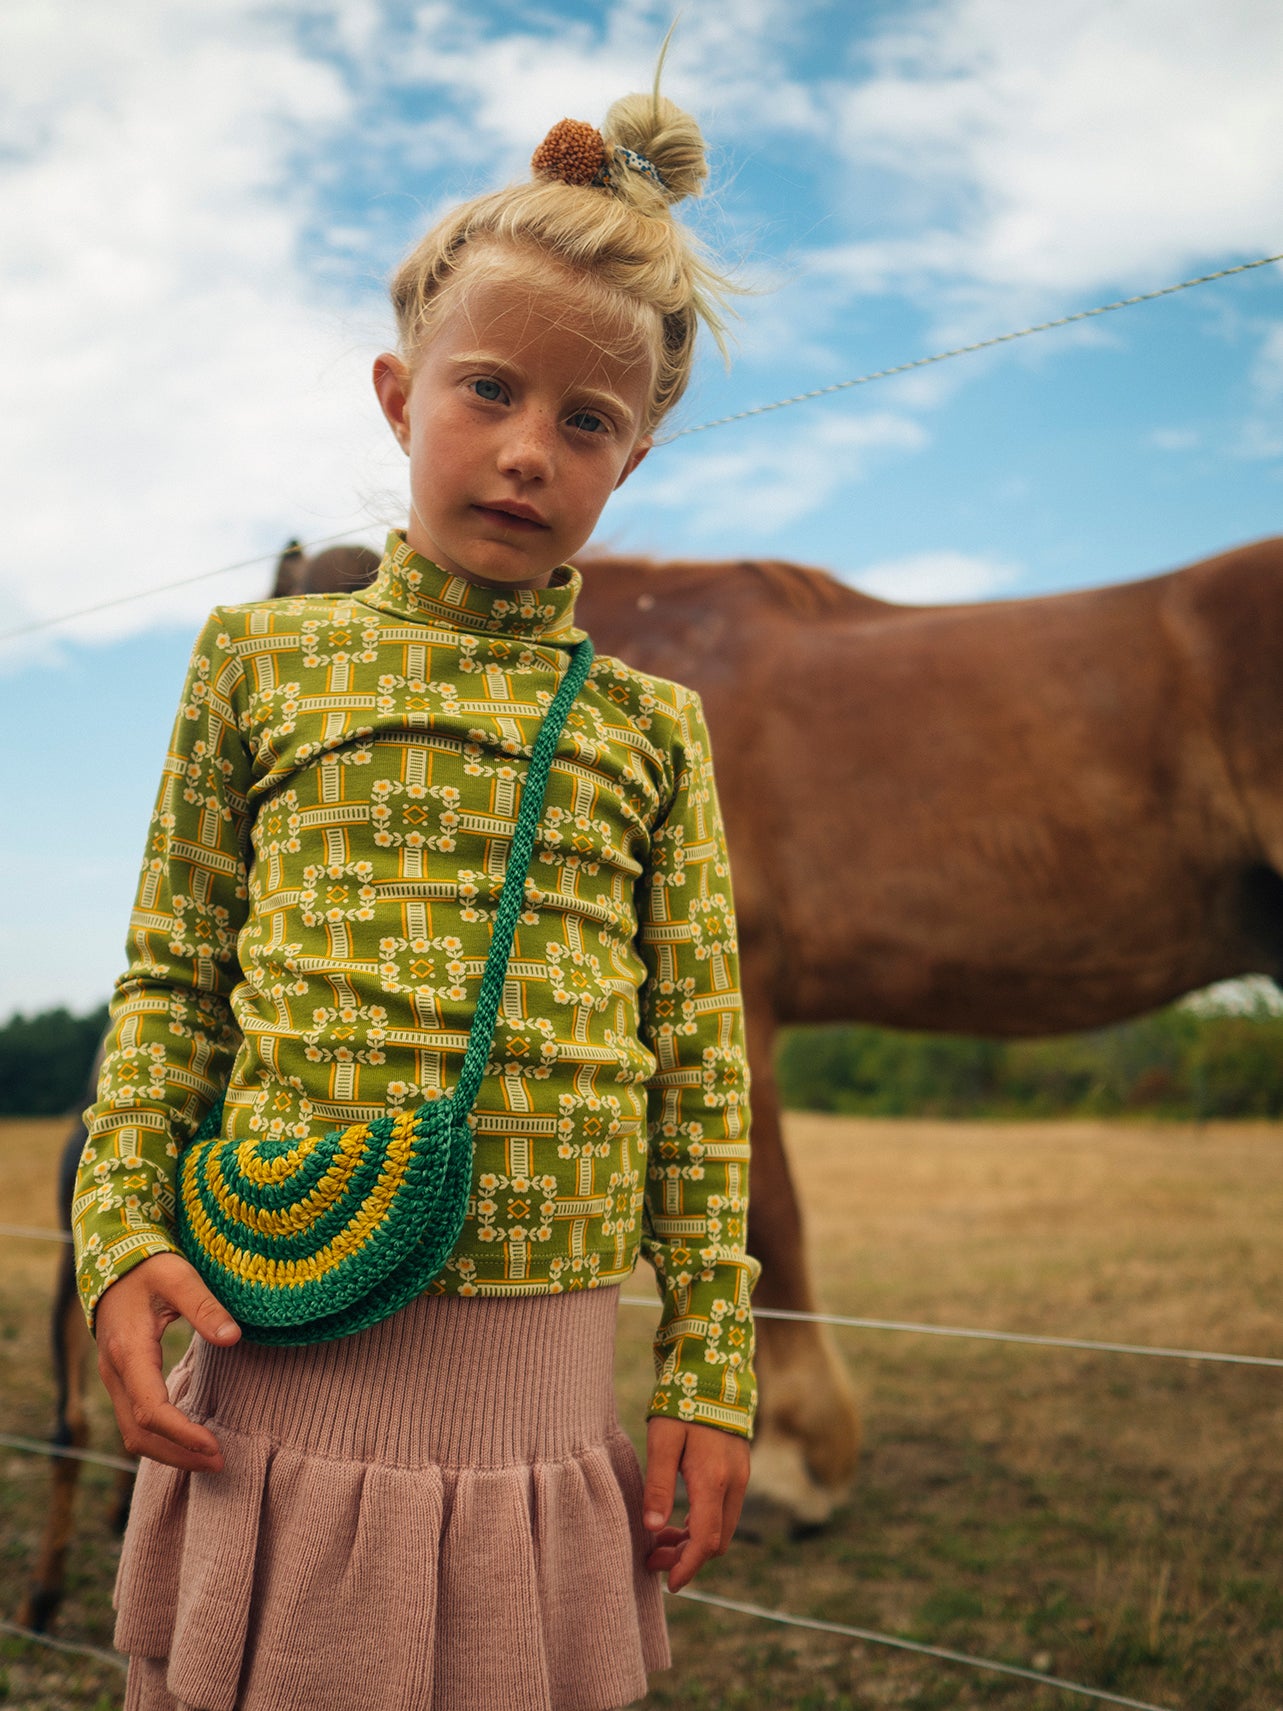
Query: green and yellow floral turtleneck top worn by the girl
(314, 918)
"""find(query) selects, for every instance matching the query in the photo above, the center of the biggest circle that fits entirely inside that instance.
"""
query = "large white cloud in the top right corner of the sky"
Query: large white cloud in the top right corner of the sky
(1043, 155)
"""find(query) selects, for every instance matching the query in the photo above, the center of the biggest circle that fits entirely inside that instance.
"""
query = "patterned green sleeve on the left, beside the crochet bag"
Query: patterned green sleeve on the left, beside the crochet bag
(172, 1036)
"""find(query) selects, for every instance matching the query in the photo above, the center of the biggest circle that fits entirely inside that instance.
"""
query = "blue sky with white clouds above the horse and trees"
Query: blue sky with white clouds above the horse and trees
(201, 204)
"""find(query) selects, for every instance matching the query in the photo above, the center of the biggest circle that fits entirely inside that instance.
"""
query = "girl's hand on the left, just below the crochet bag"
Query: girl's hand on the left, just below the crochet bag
(131, 1323)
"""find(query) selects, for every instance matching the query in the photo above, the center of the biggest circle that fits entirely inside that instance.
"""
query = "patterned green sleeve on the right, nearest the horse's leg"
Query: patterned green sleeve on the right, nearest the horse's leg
(695, 1216)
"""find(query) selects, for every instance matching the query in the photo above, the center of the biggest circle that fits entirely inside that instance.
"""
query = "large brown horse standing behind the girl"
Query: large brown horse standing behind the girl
(1010, 819)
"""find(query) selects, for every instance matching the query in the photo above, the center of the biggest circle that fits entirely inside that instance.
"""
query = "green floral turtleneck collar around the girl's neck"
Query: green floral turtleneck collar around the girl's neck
(410, 586)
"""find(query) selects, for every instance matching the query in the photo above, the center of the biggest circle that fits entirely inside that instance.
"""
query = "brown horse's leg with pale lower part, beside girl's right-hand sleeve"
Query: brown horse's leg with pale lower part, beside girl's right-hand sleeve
(808, 1435)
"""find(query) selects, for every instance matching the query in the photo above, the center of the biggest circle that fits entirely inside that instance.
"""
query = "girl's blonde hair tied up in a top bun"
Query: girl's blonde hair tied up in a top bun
(622, 242)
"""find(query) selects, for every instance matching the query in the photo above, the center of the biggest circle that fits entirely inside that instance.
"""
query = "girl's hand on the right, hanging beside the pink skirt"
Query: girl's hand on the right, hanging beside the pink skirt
(714, 1467)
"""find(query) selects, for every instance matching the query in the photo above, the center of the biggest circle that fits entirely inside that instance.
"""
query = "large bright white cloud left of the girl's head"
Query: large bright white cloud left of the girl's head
(177, 391)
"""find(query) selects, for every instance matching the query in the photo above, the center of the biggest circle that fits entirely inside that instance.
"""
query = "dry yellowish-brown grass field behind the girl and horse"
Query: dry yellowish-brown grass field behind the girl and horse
(1113, 1520)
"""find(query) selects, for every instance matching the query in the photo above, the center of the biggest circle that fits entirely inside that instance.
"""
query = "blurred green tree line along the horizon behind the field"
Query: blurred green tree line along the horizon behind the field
(1176, 1063)
